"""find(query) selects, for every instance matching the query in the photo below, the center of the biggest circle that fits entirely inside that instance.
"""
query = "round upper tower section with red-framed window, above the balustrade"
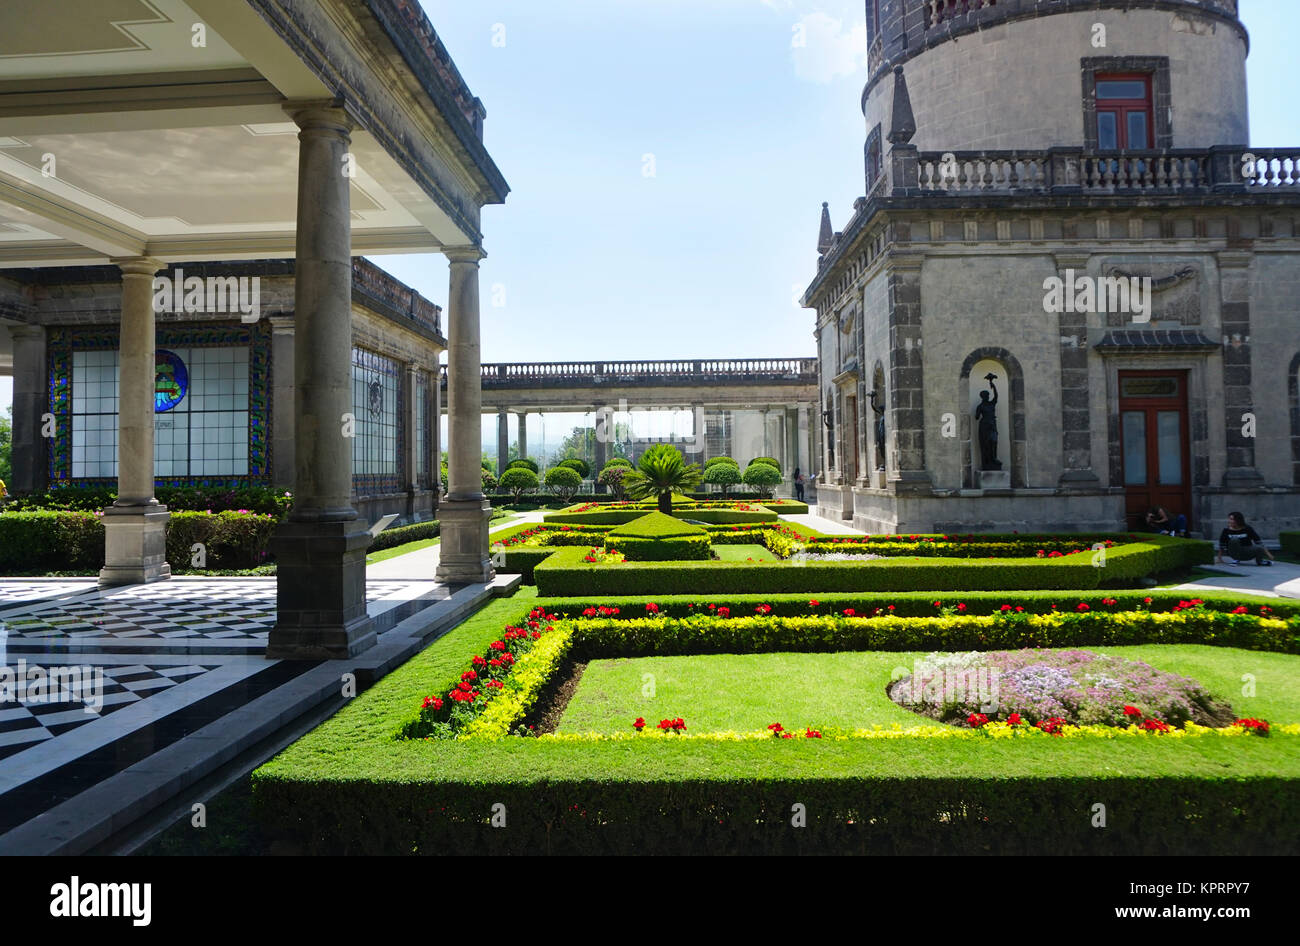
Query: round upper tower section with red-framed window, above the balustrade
(1099, 75)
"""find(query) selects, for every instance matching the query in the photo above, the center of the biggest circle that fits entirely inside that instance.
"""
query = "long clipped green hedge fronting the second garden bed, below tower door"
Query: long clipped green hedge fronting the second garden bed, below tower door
(565, 574)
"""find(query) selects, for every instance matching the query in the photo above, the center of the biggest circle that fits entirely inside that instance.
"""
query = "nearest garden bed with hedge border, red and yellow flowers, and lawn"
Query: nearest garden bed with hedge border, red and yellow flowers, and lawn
(915, 788)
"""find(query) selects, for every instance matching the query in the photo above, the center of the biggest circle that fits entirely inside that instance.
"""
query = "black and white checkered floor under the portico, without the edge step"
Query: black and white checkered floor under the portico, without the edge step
(149, 662)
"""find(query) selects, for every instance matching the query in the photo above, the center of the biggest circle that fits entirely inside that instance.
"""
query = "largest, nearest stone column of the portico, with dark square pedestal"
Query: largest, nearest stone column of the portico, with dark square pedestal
(320, 549)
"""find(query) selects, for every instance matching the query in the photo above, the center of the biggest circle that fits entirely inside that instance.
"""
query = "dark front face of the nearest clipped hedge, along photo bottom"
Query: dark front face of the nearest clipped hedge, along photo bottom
(868, 812)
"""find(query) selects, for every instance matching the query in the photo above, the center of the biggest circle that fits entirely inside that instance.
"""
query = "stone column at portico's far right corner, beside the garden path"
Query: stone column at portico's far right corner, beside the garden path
(463, 557)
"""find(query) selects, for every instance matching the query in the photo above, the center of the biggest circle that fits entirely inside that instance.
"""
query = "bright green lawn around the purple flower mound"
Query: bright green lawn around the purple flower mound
(747, 692)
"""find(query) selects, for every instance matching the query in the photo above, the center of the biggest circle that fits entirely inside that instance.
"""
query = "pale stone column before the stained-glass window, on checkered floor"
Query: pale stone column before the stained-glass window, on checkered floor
(136, 526)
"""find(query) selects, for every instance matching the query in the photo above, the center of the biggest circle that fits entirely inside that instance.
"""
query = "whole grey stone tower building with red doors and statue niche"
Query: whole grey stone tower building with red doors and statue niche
(1061, 194)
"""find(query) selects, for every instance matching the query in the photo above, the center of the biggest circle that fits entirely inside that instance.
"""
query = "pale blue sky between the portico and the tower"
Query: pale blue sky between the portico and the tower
(591, 258)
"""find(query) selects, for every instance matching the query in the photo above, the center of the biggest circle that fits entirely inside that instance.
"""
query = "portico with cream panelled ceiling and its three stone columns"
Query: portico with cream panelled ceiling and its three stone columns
(311, 129)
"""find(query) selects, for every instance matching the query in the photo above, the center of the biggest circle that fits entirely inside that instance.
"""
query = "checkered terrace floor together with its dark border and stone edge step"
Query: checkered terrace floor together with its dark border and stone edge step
(115, 701)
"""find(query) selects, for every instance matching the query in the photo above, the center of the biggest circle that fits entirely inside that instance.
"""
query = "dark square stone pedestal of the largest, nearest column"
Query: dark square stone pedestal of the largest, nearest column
(320, 591)
